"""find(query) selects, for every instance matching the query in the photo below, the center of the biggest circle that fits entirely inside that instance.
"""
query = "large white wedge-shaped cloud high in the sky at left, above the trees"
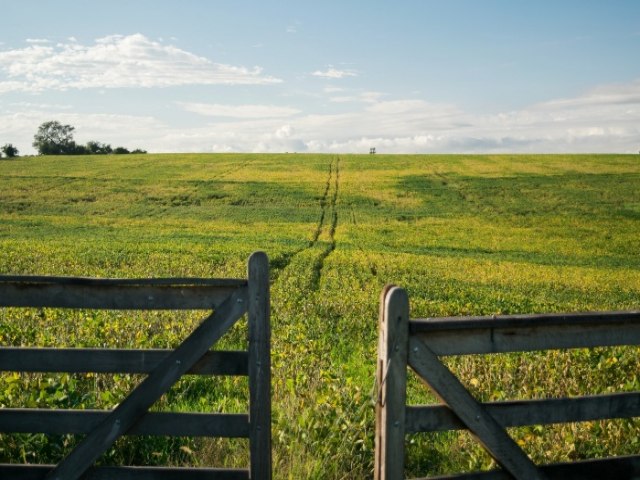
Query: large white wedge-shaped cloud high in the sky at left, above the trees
(116, 61)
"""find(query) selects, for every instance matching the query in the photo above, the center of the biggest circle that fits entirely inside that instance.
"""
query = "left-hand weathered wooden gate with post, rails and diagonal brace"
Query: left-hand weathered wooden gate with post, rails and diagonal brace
(229, 299)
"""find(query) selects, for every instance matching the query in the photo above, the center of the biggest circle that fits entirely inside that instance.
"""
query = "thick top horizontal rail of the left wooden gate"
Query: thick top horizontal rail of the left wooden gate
(116, 294)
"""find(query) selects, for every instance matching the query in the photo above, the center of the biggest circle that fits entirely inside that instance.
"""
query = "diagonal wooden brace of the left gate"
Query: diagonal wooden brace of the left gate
(151, 389)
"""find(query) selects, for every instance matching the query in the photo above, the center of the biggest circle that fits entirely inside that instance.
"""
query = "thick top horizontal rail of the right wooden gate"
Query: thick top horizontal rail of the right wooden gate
(519, 333)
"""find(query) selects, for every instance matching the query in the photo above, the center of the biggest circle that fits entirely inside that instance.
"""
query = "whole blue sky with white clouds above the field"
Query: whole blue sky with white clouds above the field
(331, 76)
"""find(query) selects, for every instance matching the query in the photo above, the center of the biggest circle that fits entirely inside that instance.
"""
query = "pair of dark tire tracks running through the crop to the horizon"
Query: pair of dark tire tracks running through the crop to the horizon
(328, 211)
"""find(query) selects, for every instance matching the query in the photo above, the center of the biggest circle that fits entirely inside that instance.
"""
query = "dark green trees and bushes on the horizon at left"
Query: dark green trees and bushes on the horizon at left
(54, 138)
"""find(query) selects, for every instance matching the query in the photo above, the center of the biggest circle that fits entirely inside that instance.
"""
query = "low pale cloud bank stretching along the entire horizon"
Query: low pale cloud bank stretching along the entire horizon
(606, 119)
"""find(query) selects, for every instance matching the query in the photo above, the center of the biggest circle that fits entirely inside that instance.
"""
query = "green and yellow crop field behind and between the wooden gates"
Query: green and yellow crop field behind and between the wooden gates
(465, 235)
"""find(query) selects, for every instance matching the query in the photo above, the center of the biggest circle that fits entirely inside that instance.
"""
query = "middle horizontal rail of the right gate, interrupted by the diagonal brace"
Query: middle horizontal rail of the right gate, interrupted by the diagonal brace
(435, 418)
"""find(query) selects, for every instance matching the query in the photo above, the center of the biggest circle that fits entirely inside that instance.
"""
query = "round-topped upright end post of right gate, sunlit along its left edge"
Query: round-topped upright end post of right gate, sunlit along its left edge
(391, 378)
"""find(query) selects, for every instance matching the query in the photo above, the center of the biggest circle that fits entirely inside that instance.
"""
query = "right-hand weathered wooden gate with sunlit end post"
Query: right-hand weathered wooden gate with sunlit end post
(418, 343)
